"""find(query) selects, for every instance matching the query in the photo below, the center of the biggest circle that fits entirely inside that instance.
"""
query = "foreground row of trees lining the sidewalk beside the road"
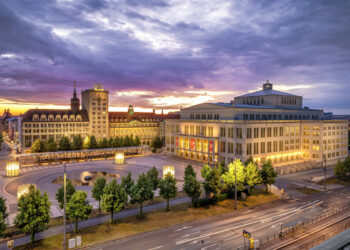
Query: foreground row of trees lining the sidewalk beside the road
(34, 207)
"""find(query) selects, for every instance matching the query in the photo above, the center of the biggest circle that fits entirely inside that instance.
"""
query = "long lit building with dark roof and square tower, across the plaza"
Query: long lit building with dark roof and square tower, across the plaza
(92, 118)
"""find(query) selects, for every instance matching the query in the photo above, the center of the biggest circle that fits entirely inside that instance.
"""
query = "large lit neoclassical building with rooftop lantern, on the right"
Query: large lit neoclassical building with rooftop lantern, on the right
(266, 124)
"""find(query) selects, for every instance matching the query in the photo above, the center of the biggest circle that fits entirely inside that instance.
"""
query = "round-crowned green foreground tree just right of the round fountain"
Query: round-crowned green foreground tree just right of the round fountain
(114, 198)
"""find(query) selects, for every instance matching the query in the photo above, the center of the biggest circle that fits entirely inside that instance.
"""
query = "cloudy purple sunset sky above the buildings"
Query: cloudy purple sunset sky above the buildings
(175, 53)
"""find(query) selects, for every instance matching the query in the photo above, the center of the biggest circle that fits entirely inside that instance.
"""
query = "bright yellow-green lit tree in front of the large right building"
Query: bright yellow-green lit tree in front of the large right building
(235, 168)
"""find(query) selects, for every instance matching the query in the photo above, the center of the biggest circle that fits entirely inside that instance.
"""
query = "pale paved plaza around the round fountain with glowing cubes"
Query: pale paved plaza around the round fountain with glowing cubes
(43, 176)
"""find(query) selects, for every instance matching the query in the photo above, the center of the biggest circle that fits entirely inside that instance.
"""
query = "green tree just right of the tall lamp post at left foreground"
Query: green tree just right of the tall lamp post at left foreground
(78, 207)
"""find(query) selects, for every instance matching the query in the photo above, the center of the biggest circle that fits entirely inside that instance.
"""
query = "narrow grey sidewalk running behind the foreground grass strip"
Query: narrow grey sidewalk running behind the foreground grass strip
(93, 222)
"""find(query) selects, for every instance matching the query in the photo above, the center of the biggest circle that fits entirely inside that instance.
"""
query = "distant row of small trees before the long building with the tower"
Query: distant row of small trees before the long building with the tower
(77, 143)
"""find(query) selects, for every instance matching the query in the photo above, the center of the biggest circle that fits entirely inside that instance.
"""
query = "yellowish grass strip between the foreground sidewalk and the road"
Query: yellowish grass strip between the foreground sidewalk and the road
(152, 221)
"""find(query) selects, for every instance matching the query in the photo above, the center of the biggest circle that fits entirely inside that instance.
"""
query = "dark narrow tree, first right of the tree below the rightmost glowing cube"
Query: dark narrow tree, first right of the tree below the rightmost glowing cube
(192, 186)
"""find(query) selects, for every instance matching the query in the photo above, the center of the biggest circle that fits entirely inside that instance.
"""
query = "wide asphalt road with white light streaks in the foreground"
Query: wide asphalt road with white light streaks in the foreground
(225, 231)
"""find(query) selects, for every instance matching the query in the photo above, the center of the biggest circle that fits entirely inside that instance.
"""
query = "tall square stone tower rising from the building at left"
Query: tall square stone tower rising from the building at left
(95, 102)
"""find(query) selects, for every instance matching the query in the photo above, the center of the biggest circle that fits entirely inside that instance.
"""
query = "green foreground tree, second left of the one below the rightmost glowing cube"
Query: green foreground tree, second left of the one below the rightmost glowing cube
(142, 191)
